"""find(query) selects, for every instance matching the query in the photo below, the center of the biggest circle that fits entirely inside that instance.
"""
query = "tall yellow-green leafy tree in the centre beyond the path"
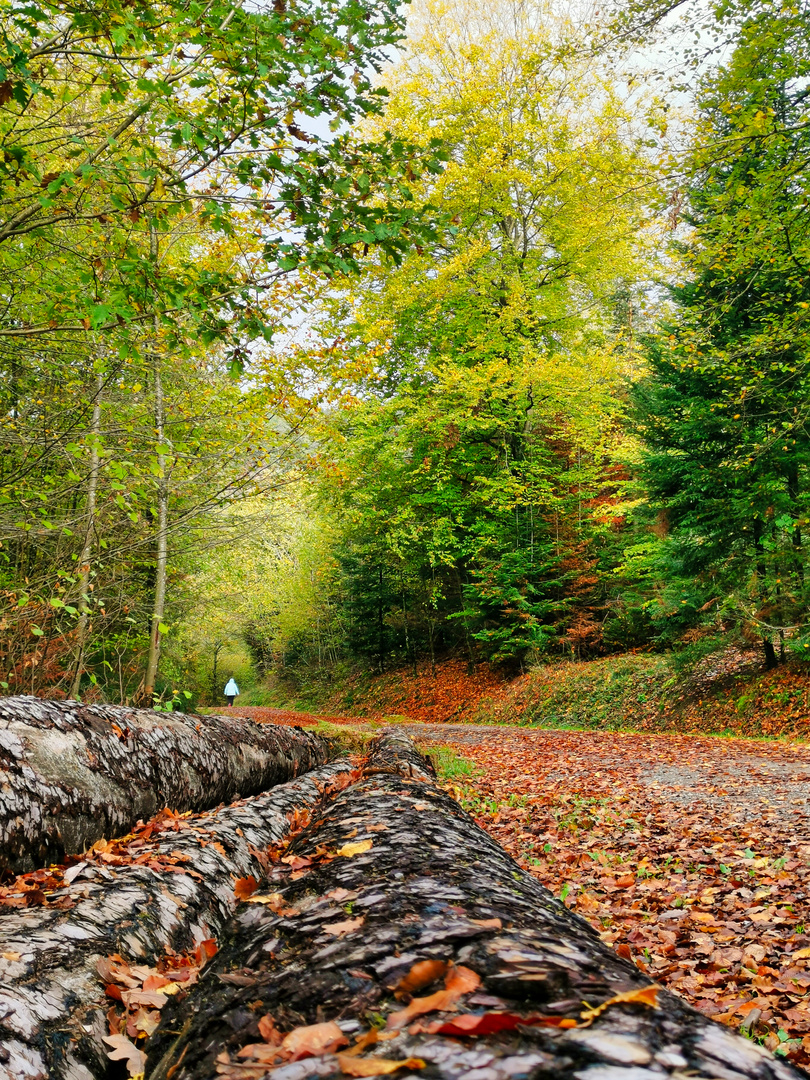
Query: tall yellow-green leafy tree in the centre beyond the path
(480, 377)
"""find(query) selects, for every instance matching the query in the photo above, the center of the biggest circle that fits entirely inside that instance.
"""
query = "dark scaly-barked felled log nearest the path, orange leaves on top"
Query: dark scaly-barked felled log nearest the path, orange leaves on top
(398, 894)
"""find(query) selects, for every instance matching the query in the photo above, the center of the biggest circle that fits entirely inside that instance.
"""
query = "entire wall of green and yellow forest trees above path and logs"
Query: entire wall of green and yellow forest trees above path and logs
(457, 329)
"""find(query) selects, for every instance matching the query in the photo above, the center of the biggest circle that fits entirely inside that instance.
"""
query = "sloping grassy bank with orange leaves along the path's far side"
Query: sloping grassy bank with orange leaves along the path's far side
(726, 693)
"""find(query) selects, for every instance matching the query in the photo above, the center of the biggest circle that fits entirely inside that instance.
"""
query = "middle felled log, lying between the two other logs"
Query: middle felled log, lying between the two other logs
(181, 894)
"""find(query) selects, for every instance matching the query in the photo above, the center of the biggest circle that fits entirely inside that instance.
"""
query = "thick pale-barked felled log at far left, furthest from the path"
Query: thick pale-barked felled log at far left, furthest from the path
(72, 774)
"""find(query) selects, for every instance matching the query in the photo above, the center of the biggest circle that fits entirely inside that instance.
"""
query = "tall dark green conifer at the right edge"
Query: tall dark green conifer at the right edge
(724, 412)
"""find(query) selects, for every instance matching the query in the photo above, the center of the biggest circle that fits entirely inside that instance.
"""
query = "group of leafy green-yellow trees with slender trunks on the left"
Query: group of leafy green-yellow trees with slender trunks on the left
(164, 171)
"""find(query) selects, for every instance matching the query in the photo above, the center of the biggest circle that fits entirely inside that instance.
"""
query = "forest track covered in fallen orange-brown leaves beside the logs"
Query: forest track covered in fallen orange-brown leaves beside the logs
(690, 855)
